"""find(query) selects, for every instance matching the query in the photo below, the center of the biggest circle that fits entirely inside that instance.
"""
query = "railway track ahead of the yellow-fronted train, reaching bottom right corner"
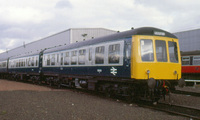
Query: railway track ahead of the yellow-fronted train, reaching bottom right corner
(186, 111)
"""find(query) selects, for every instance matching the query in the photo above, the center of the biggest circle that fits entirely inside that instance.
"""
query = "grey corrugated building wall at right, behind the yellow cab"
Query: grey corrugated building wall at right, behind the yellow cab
(189, 40)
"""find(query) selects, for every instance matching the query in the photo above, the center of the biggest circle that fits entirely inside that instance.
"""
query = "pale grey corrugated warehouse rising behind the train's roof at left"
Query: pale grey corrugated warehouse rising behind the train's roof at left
(62, 38)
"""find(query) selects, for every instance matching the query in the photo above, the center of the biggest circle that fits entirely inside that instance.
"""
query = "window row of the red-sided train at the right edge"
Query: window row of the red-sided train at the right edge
(191, 60)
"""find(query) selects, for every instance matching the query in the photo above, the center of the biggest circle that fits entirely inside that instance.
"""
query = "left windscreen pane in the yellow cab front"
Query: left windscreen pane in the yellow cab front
(147, 50)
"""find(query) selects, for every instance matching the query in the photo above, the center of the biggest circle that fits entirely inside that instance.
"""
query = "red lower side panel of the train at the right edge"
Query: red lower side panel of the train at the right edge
(190, 69)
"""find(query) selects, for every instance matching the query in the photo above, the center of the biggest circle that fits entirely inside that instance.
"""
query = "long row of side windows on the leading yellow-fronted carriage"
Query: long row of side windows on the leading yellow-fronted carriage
(87, 56)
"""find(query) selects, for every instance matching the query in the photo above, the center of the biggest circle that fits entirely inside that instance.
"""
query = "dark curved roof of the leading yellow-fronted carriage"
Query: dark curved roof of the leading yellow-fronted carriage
(116, 36)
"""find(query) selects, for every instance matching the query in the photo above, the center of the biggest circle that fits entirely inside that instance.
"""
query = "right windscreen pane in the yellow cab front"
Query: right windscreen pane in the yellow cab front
(173, 52)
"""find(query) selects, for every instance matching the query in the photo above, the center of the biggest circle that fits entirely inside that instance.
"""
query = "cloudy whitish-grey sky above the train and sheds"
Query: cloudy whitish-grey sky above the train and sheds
(29, 20)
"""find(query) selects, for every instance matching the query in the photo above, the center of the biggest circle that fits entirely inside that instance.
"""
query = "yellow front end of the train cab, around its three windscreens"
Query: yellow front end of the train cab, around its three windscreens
(143, 70)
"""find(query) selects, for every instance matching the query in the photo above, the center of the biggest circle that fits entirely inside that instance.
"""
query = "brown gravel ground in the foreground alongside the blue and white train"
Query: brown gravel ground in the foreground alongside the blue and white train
(20, 101)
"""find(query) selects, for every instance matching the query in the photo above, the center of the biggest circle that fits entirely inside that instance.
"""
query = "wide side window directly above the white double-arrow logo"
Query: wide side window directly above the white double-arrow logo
(114, 54)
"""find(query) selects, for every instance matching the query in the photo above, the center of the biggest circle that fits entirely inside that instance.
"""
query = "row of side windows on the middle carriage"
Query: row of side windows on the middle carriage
(24, 62)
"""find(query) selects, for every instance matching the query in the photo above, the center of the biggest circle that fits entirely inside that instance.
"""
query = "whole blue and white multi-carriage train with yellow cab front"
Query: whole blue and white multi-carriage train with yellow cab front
(142, 62)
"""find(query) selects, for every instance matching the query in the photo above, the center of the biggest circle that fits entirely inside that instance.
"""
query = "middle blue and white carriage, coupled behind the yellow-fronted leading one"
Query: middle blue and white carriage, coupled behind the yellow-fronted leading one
(24, 67)
